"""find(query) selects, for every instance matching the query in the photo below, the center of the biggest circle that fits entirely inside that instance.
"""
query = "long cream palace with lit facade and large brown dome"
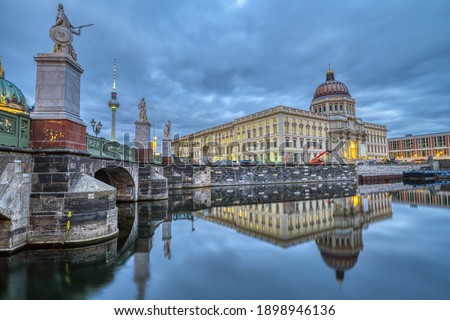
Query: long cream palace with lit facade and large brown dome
(291, 135)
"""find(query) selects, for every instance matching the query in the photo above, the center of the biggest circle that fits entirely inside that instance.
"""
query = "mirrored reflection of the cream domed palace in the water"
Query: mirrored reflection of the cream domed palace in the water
(335, 224)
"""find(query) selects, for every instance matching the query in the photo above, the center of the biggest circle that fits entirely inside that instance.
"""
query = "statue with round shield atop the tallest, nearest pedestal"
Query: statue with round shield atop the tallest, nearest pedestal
(61, 33)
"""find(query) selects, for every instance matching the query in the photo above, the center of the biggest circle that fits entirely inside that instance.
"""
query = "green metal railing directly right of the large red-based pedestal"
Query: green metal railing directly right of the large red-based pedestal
(100, 147)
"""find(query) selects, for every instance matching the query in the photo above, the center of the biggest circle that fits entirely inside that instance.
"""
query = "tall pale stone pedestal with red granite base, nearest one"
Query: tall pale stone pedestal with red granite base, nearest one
(55, 121)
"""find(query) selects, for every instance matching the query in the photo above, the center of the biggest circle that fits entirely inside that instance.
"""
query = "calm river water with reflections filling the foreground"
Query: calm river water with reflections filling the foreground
(329, 241)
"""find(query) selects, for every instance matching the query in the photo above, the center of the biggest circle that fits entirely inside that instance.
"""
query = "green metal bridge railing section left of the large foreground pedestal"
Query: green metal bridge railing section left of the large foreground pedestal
(14, 129)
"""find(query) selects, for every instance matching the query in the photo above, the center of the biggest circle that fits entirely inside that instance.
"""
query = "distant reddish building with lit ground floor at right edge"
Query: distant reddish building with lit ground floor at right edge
(420, 147)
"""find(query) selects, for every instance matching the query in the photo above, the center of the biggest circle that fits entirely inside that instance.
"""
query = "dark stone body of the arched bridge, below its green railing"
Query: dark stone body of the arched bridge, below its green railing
(64, 197)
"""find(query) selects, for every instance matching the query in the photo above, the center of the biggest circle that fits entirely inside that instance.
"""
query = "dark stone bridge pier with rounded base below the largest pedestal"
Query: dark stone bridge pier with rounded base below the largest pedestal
(67, 205)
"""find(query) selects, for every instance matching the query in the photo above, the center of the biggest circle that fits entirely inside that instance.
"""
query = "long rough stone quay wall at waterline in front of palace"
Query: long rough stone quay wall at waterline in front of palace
(216, 176)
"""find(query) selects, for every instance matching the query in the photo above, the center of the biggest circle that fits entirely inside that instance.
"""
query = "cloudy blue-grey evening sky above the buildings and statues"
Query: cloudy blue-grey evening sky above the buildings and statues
(201, 63)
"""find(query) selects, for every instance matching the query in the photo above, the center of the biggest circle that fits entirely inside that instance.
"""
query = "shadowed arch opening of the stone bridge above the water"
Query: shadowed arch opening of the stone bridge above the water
(119, 178)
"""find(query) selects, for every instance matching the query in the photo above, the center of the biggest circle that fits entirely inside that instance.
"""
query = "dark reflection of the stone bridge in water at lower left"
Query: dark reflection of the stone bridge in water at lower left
(87, 267)
